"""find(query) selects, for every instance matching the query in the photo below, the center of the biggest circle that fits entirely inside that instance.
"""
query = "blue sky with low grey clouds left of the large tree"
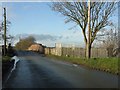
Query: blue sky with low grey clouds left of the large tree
(37, 19)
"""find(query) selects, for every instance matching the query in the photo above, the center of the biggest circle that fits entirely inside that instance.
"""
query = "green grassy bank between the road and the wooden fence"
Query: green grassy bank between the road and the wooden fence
(104, 64)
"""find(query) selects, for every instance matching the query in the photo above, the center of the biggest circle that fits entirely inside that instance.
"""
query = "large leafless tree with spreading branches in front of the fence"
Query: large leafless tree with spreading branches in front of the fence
(78, 12)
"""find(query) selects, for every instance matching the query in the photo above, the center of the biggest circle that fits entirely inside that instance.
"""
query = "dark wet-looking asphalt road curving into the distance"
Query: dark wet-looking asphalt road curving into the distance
(35, 71)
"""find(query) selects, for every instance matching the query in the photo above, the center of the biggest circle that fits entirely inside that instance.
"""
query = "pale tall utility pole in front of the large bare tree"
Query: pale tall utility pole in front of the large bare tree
(88, 42)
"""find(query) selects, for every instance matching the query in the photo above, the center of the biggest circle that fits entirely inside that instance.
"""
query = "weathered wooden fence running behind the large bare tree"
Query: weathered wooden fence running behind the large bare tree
(76, 52)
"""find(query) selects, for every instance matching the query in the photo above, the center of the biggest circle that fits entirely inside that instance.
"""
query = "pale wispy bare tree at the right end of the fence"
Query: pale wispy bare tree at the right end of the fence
(110, 42)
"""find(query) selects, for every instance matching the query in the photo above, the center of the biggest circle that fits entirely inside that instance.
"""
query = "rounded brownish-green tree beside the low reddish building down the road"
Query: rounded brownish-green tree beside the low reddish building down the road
(25, 43)
